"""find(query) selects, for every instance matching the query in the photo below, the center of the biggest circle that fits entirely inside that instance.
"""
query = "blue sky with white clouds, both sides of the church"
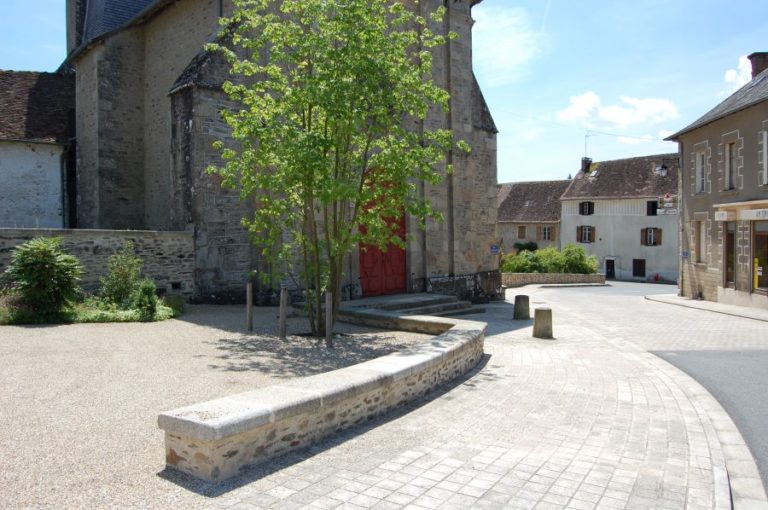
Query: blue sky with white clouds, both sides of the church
(563, 79)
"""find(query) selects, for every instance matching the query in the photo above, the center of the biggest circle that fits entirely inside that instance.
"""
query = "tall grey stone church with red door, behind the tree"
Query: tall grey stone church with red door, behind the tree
(147, 113)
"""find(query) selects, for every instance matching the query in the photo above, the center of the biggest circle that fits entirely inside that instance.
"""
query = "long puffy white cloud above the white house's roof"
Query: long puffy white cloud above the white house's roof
(587, 109)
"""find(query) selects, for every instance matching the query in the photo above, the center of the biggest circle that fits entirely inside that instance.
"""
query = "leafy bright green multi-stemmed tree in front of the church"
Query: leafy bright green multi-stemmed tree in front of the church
(326, 90)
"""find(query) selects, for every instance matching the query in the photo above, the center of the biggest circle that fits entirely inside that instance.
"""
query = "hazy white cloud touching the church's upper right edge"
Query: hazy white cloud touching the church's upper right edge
(504, 41)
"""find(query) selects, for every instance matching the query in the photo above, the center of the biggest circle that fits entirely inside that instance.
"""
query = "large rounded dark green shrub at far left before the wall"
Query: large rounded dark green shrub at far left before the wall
(44, 276)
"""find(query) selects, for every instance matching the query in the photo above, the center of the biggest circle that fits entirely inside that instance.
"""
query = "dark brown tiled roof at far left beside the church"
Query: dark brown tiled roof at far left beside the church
(36, 106)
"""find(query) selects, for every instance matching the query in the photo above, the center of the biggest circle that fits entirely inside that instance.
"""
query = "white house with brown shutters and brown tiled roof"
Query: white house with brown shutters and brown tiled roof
(624, 212)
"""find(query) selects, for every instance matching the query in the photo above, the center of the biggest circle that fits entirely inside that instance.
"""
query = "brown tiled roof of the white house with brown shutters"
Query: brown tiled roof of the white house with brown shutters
(626, 178)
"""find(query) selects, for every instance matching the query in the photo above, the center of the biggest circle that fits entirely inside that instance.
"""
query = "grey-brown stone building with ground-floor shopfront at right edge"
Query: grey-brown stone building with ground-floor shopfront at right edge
(724, 189)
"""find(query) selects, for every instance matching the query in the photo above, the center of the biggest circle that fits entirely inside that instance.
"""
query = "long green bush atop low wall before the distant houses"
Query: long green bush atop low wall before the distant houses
(572, 259)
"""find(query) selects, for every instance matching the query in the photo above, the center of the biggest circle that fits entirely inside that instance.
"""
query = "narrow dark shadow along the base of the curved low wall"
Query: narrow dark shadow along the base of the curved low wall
(474, 380)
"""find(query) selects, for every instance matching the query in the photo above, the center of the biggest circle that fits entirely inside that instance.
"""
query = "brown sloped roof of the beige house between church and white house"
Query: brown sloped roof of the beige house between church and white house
(531, 202)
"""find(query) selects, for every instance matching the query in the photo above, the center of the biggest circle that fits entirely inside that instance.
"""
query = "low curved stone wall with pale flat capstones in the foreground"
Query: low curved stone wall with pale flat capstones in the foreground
(214, 440)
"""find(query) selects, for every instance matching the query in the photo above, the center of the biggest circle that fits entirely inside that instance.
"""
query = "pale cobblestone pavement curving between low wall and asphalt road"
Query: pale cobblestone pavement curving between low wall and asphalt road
(589, 420)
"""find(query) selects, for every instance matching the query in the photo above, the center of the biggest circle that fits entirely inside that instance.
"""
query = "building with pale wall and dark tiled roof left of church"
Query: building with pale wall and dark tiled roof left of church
(36, 166)
